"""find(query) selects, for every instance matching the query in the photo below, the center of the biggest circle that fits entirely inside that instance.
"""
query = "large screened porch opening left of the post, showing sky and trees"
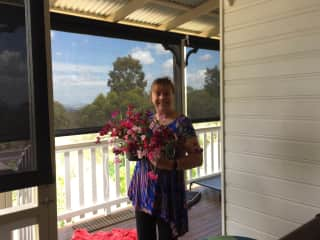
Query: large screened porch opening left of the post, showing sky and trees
(94, 75)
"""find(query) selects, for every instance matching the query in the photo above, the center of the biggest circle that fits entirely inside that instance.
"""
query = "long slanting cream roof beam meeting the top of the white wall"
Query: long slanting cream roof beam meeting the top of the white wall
(191, 14)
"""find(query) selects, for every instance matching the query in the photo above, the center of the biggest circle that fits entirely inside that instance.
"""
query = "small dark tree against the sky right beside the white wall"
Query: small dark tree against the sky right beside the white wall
(212, 81)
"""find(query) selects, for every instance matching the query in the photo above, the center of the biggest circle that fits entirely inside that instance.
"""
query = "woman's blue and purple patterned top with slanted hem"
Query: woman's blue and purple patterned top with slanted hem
(165, 197)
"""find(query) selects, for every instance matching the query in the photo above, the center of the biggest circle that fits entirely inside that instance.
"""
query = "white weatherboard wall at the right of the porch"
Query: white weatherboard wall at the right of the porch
(271, 115)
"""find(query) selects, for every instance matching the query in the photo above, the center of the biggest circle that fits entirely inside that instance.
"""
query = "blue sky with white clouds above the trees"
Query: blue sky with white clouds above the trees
(81, 64)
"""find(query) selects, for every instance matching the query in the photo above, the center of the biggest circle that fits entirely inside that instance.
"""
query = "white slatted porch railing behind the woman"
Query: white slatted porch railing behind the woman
(91, 184)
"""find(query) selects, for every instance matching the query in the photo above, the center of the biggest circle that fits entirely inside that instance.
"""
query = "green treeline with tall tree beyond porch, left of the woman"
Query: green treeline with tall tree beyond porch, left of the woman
(127, 86)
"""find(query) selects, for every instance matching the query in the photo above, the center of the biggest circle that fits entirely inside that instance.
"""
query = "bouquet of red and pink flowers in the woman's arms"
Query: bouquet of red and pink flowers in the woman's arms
(138, 136)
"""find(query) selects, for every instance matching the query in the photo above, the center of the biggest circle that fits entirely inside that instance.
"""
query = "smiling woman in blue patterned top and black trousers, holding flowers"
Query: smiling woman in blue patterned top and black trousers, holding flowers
(161, 203)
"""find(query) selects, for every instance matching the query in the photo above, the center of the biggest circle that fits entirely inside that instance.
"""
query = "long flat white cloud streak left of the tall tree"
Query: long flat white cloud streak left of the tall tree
(79, 68)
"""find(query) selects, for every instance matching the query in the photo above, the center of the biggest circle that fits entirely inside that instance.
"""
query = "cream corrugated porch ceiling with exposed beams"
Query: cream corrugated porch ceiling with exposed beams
(192, 17)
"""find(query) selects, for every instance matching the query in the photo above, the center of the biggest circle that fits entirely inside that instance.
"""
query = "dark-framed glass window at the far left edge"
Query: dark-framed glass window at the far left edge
(25, 158)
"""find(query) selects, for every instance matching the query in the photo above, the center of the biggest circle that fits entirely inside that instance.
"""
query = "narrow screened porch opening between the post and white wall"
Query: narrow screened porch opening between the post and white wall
(203, 85)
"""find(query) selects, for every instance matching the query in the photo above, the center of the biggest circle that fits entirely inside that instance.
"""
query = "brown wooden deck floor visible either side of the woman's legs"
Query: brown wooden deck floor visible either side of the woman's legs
(204, 217)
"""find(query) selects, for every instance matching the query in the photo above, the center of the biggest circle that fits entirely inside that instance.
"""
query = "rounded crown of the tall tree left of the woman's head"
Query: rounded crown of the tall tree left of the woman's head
(127, 74)
